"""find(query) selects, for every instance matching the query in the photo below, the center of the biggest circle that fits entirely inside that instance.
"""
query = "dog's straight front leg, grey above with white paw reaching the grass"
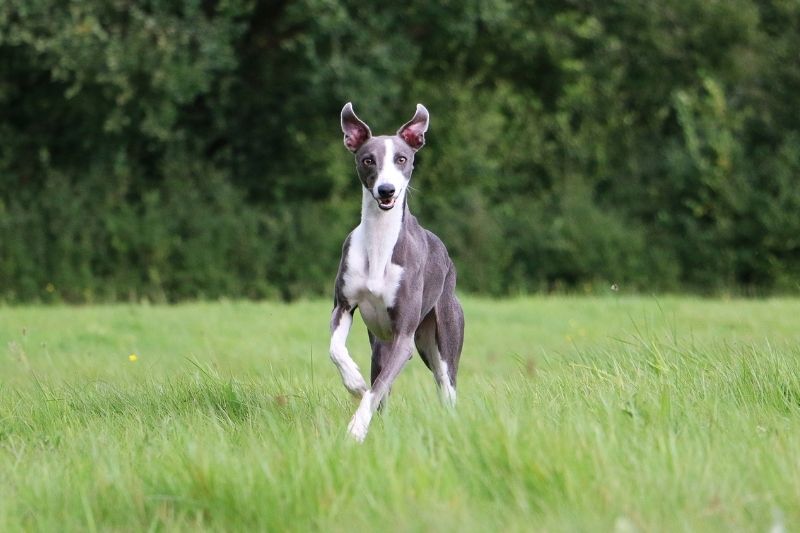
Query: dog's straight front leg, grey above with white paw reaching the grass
(395, 355)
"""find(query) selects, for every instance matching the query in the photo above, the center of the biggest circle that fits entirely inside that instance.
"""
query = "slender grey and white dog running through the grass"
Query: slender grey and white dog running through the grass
(396, 272)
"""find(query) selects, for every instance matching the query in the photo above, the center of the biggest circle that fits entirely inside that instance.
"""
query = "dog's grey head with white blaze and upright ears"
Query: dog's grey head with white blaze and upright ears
(384, 163)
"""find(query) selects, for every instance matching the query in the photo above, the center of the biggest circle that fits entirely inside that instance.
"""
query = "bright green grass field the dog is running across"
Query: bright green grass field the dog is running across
(574, 414)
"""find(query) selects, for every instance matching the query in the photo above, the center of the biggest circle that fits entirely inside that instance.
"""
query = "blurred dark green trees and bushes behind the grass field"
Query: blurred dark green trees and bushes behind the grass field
(173, 149)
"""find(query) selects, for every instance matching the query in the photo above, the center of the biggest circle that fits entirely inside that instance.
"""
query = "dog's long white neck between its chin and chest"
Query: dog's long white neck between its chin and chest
(381, 231)
